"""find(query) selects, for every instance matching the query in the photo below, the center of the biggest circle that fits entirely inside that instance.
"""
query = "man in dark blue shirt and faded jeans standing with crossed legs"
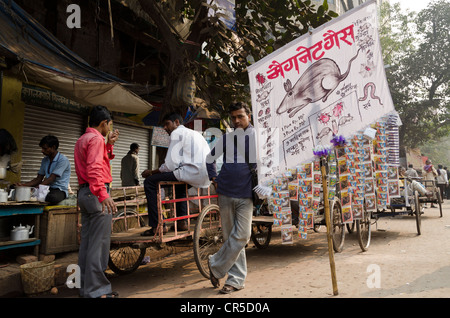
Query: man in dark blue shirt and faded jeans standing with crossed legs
(234, 186)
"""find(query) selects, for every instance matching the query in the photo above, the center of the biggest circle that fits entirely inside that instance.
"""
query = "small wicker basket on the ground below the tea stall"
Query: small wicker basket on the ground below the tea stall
(37, 277)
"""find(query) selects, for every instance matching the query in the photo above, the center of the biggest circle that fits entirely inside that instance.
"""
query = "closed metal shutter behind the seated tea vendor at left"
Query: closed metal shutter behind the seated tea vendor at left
(39, 122)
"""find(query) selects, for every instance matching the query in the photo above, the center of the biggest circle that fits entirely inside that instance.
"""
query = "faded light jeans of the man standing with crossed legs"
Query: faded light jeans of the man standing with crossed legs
(236, 216)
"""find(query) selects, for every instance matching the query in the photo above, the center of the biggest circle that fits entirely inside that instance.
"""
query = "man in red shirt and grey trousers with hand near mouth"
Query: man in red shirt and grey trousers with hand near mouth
(92, 156)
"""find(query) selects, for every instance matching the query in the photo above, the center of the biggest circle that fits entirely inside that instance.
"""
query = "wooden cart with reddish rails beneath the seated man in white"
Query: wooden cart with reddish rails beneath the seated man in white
(128, 247)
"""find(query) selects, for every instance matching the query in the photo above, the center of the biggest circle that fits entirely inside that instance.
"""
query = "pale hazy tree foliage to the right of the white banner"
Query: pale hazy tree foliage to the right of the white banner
(417, 49)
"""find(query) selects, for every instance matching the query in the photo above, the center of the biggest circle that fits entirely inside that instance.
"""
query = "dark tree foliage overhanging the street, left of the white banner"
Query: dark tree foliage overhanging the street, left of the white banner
(221, 57)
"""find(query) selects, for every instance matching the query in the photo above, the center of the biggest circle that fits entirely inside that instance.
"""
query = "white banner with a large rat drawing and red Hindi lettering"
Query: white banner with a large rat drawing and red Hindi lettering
(328, 82)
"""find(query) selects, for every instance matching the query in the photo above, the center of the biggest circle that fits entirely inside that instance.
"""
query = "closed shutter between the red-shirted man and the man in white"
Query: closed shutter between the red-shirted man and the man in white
(128, 135)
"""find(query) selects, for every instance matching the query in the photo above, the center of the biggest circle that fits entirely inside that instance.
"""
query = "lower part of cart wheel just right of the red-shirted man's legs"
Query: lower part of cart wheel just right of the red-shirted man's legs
(125, 259)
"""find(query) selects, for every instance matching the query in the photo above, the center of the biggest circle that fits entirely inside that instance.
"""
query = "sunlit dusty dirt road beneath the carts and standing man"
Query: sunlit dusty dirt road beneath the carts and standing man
(398, 264)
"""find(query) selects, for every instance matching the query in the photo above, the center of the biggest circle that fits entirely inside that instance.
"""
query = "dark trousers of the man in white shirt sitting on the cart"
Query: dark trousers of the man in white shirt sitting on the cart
(151, 189)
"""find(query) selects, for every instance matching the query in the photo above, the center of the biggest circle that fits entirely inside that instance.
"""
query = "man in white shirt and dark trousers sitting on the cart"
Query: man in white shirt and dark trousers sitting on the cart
(185, 161)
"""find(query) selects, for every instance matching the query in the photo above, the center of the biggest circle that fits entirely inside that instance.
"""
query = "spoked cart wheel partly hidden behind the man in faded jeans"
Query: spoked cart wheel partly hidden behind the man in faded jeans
(208, 238)
